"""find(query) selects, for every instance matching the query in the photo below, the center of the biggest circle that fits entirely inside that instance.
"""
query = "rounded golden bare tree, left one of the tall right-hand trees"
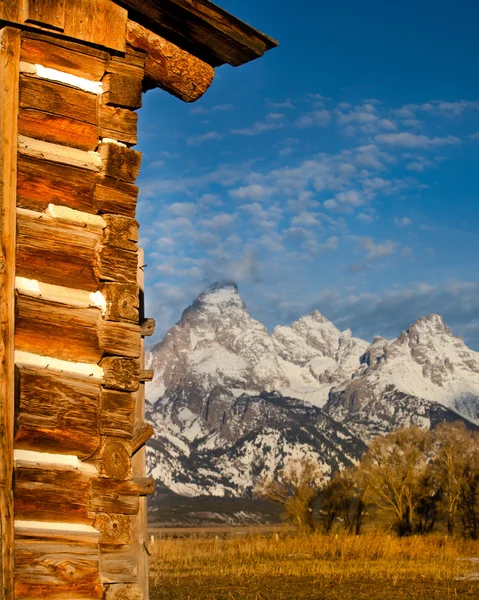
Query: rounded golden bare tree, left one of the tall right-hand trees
(394, 469)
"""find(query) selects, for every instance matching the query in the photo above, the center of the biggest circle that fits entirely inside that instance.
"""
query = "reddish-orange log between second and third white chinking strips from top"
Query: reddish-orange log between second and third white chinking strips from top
(41, 183)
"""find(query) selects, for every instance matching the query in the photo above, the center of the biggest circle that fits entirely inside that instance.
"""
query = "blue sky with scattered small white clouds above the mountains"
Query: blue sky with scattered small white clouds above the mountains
(338, 172)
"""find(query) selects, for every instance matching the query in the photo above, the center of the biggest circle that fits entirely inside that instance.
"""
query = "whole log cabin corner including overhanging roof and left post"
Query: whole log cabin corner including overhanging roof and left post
(72, 429)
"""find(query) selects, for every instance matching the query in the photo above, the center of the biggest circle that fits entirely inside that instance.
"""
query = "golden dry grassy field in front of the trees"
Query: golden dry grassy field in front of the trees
(373, 566)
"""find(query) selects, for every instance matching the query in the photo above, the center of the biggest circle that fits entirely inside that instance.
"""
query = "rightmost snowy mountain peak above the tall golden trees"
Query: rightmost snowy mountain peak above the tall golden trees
(425, 376)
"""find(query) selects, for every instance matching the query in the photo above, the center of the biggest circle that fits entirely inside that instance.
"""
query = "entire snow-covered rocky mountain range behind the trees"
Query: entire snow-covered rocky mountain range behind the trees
(231, 403)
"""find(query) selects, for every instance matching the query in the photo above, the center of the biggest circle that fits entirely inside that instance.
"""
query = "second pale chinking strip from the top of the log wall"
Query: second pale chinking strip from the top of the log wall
(57, 153)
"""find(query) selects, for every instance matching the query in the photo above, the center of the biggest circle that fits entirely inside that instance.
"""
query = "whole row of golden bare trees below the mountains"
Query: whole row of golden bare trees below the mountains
(411, 480)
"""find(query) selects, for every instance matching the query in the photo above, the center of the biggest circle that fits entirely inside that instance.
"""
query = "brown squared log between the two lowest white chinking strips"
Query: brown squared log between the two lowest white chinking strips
(52, 493)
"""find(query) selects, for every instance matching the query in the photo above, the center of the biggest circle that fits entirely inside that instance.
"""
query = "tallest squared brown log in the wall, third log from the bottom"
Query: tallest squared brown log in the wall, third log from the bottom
(56, 413)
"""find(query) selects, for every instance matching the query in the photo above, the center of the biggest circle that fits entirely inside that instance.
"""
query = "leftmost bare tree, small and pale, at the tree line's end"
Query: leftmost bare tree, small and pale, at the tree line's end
(296, 489)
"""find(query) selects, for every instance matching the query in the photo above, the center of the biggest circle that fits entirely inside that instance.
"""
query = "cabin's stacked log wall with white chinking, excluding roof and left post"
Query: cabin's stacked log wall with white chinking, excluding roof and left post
(79, 418)
